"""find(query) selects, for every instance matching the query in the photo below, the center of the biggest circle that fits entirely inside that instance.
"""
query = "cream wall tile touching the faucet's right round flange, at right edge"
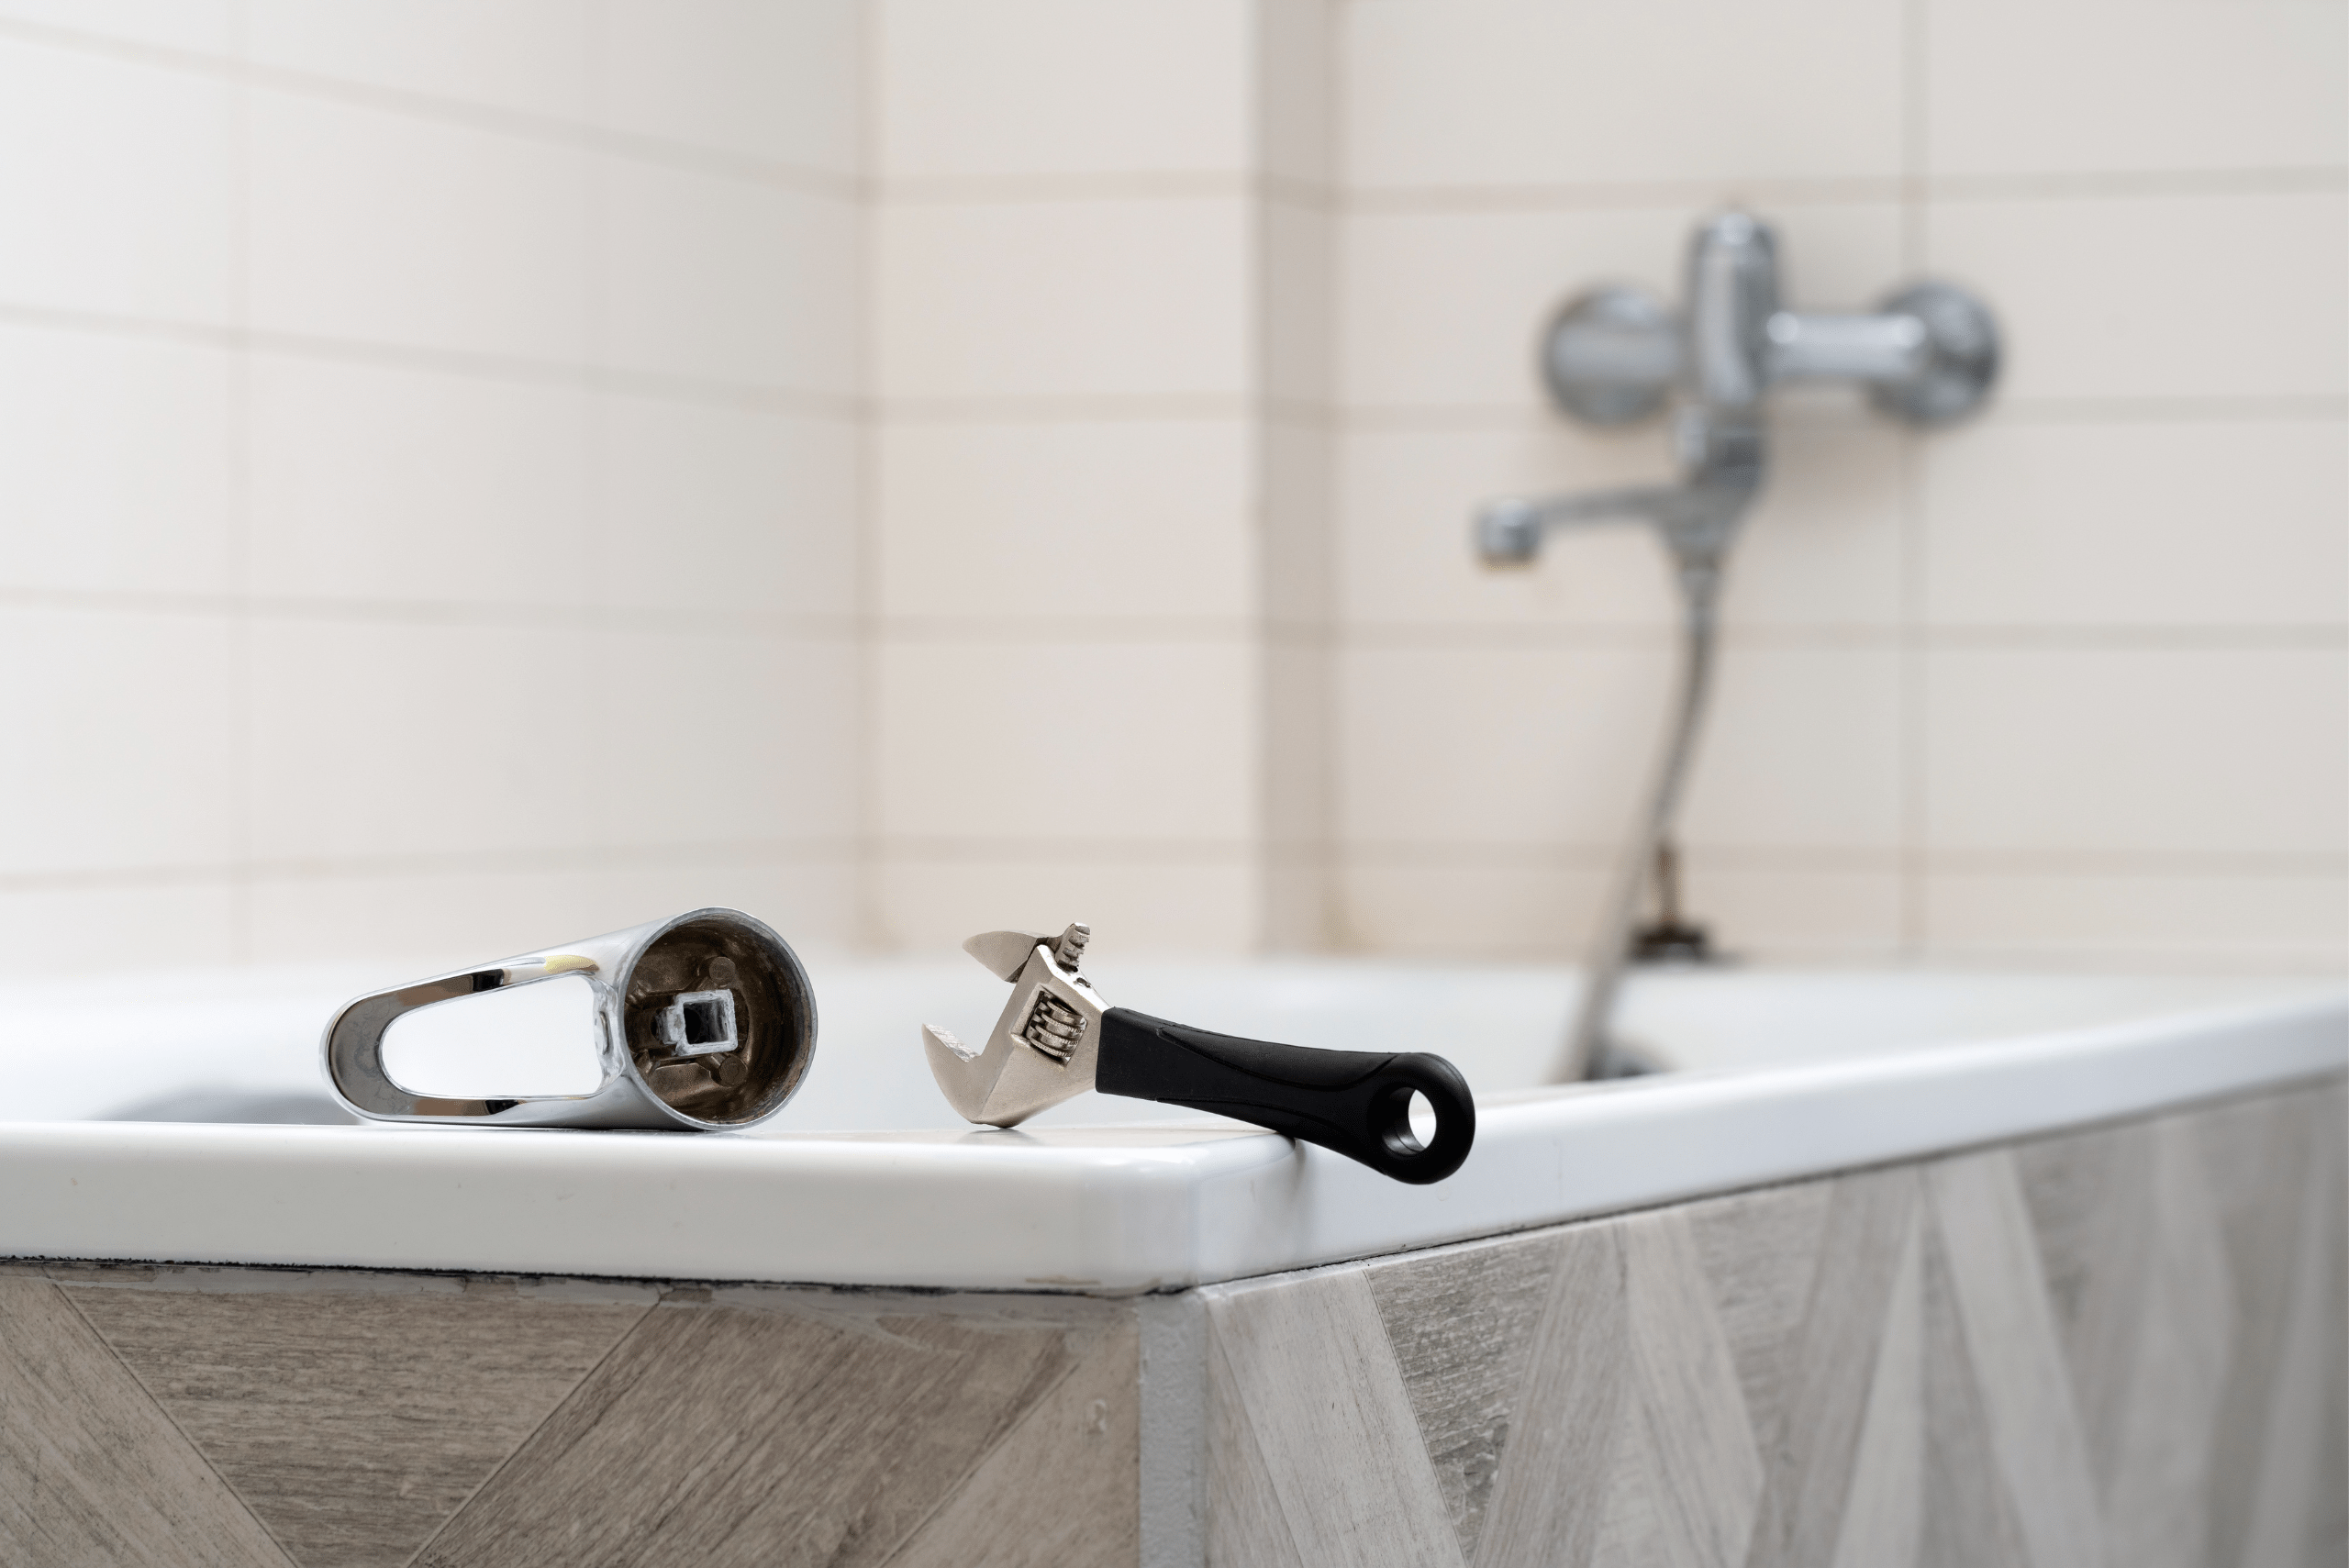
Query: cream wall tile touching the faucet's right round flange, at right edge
(2148, 297)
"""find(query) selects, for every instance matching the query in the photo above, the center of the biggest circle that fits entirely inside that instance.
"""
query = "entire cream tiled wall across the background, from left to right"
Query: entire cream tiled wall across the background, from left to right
(487, 473)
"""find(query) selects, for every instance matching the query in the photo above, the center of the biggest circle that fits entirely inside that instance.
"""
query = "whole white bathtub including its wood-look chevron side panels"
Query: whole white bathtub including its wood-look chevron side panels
(1885, 1269)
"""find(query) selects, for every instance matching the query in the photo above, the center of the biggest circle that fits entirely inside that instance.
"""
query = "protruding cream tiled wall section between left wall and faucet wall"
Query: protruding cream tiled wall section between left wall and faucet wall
(1098, 464)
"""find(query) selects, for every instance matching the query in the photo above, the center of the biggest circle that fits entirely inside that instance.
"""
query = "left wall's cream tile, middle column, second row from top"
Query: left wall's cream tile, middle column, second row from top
(417, 234)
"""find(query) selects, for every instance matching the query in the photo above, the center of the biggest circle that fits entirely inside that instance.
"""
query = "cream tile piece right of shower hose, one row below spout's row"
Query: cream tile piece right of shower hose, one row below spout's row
(1801, 750)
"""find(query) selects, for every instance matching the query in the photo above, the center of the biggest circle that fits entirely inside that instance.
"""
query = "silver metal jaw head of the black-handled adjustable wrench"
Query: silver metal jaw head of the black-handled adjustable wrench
(1042, 1050)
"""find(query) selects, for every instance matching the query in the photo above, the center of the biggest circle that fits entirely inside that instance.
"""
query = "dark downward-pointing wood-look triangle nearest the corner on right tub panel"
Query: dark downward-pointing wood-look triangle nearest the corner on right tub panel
(1462, 1325)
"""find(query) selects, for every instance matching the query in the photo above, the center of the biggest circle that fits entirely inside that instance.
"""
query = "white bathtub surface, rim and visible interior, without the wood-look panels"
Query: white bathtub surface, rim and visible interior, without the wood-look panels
(868, 1177)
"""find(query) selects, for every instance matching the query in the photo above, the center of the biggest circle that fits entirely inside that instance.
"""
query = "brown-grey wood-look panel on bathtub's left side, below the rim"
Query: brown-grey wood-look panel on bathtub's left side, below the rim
(243, 1419)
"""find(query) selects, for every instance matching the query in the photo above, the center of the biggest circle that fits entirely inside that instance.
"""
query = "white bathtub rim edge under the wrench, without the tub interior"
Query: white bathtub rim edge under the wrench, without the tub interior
(1082, 1210)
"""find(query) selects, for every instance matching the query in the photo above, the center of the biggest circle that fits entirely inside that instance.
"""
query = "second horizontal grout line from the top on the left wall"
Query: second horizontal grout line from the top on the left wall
(447, 363)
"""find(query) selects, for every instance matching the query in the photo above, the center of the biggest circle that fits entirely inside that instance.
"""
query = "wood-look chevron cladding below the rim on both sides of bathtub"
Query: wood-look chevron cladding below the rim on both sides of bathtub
(2115, 1349)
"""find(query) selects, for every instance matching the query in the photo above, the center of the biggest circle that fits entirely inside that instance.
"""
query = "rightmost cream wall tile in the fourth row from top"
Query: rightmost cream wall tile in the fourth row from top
(2139, 750)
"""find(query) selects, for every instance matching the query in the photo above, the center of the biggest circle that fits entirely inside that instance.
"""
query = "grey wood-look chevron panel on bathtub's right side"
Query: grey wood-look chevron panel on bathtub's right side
(2118, 1349)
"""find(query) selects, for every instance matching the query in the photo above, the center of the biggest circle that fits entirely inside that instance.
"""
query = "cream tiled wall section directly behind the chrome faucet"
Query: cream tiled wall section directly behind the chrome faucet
(2066, 684)
